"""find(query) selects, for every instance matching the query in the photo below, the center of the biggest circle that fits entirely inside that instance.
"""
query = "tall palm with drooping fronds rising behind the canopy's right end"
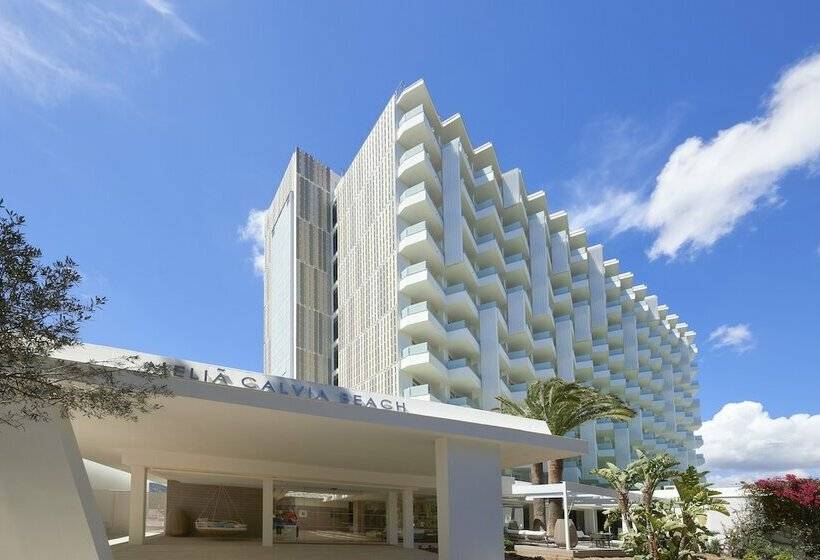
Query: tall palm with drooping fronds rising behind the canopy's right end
(564, 406)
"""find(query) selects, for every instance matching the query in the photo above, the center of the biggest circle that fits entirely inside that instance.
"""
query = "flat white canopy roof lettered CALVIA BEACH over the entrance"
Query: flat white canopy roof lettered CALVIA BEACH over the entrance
(240, 423)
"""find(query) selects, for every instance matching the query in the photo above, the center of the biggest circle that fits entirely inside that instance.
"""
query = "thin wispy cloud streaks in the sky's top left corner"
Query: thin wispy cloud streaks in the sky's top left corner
(52, 49)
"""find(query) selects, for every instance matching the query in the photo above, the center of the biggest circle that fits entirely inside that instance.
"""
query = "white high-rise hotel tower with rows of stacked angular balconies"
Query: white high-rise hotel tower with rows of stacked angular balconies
(426, 271)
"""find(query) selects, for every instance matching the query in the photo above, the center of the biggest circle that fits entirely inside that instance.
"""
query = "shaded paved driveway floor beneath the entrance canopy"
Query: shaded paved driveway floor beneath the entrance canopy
(198, 548)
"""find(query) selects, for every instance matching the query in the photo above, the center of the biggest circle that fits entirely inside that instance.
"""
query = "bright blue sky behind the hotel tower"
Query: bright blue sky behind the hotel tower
(137, 136)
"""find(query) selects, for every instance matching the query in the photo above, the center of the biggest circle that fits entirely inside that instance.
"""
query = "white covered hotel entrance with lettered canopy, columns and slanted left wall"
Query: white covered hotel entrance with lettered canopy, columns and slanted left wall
(274, 433)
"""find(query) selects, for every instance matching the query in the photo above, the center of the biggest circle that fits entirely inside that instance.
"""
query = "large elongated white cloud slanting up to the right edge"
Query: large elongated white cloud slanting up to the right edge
(708, 185)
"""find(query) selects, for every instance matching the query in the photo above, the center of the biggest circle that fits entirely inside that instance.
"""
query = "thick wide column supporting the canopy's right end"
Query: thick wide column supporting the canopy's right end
(468, 498)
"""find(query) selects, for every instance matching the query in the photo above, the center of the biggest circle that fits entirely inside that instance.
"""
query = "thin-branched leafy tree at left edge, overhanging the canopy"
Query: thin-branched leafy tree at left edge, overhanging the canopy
(40, 316)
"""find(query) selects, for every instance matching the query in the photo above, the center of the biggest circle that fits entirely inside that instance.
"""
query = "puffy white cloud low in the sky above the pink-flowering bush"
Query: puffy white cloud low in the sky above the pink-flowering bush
(743, 442)
